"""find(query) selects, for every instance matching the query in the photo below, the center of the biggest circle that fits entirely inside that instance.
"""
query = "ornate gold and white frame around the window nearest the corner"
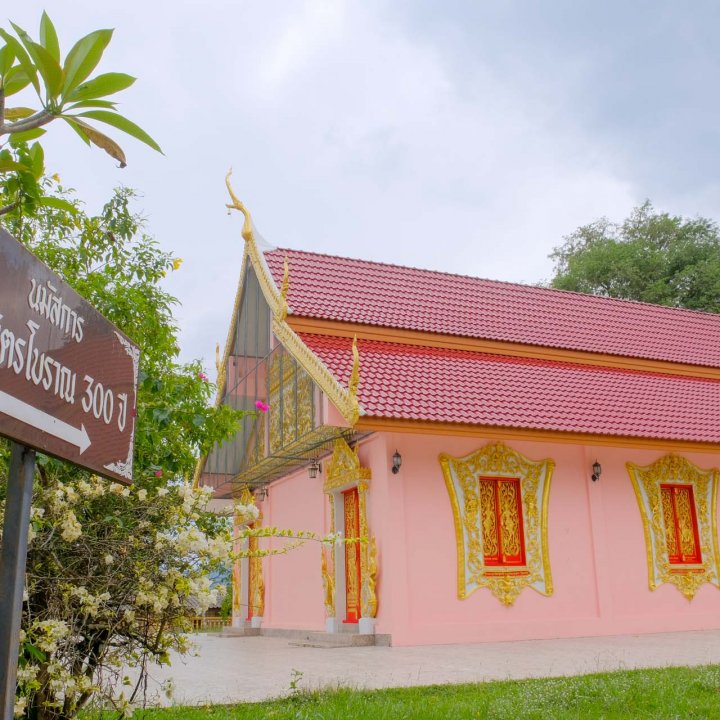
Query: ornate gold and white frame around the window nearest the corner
(462, 478)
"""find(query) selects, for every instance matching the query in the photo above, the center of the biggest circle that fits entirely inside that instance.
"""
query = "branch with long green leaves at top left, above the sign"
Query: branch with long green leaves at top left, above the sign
(64, 91)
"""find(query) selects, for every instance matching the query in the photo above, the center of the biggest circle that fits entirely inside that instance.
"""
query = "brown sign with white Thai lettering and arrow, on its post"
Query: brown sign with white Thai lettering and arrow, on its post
(68, 385)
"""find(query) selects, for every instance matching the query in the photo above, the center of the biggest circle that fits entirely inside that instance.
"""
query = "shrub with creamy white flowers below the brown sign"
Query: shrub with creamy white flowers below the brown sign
(113, 577)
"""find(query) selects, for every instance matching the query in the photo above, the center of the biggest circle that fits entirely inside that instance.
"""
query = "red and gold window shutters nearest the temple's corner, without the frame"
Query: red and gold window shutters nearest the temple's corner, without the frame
(502, 522)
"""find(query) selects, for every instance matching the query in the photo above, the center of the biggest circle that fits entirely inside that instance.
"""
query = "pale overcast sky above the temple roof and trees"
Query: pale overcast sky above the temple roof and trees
(467, 136)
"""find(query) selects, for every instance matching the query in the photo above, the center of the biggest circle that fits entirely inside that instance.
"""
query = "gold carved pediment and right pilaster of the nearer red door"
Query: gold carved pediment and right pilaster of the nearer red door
(343, 472)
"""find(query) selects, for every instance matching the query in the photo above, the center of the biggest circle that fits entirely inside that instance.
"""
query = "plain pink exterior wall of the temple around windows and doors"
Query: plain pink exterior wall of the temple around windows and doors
(596, 543)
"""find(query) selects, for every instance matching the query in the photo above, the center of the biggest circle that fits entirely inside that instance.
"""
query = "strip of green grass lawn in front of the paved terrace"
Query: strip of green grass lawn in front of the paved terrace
(682, 693)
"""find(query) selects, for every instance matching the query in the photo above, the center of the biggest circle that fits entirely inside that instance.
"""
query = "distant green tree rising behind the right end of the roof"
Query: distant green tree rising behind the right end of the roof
(652, 257)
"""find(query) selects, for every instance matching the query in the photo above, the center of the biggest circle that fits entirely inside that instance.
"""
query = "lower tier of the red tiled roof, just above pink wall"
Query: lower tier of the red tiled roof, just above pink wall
(457, 386)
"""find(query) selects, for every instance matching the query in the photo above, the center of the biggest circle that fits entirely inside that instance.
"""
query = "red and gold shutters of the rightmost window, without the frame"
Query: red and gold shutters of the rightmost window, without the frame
(681, 530)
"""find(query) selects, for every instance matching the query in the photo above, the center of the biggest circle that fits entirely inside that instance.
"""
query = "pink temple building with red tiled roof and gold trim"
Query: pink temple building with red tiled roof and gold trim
(518, 462)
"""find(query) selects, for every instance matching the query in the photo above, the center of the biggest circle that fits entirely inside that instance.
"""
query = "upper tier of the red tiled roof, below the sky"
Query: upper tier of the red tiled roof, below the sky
(358, 291)
